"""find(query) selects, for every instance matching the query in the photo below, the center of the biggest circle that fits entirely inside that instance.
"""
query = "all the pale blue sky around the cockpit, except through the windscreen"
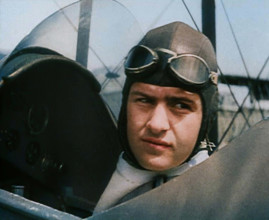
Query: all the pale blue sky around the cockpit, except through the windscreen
(249, 20)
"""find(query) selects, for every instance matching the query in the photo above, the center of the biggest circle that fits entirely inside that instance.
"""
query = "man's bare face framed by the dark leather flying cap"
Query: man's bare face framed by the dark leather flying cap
(163, 124)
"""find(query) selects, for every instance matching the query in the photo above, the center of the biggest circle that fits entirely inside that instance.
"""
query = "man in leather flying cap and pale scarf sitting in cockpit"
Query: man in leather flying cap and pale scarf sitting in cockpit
(169, 103)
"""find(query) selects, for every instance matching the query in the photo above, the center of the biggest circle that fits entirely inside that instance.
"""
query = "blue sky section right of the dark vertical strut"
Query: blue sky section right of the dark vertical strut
(250, 21)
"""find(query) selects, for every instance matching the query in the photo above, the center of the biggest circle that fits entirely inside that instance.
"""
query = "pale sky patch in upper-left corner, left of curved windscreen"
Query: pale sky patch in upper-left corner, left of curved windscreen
(19, 17)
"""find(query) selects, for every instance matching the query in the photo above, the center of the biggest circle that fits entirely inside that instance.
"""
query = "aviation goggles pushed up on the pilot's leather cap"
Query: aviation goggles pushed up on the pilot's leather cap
(187, 68)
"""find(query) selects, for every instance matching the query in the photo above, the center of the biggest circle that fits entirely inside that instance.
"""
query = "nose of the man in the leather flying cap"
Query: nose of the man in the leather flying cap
(159, 120)
